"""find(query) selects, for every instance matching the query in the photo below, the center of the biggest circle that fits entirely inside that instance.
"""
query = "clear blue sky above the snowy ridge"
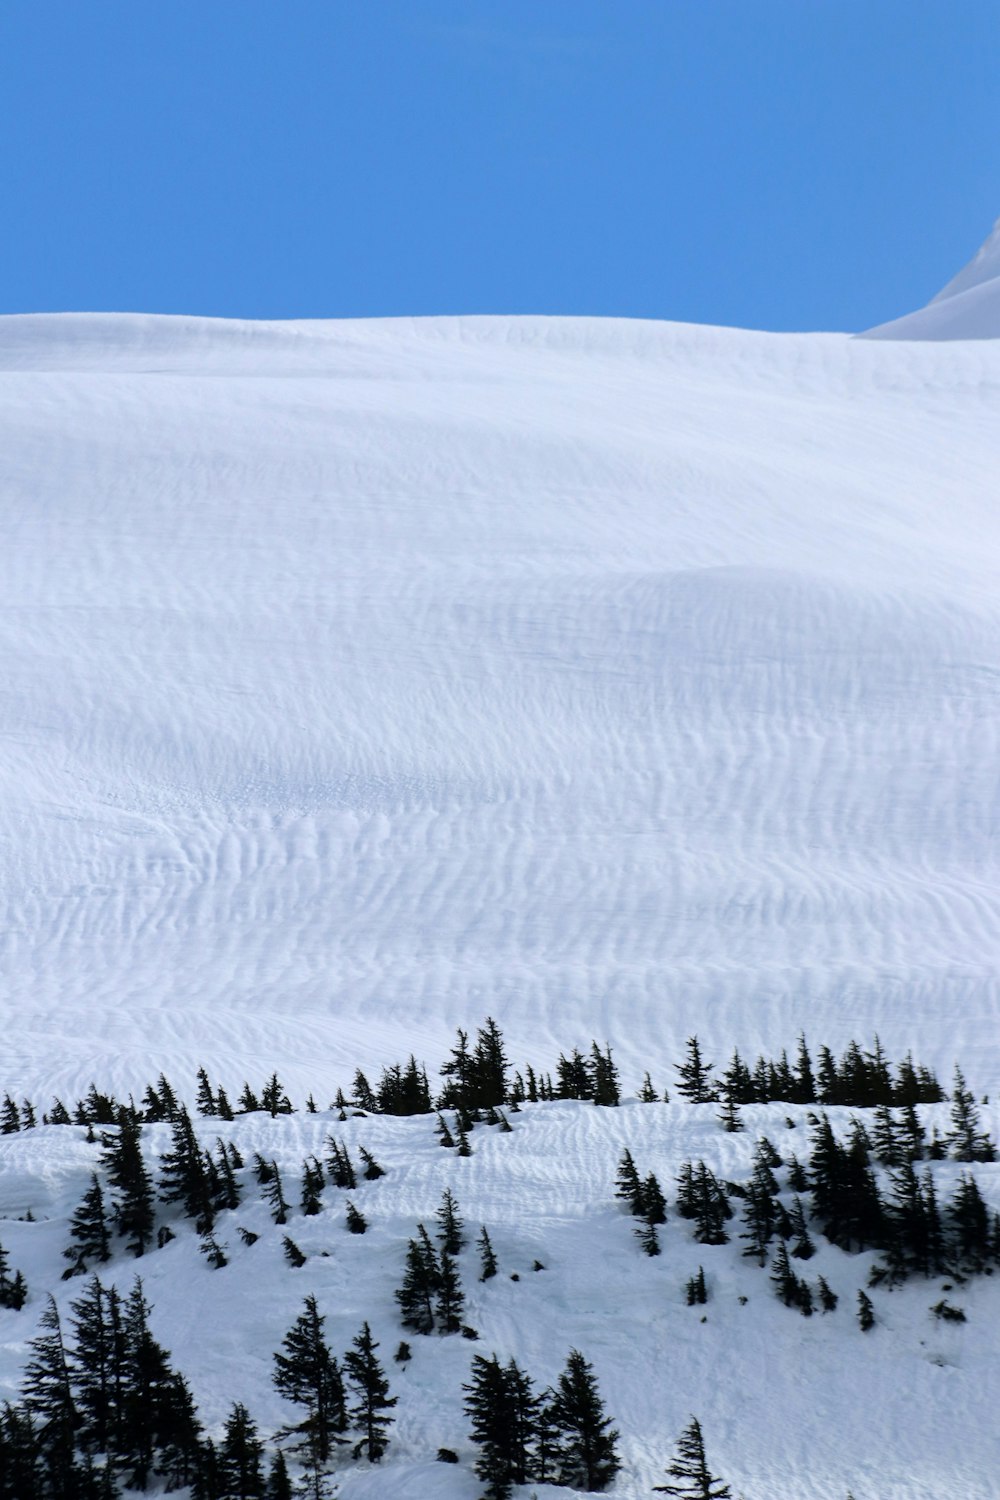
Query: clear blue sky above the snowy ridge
(780, 164)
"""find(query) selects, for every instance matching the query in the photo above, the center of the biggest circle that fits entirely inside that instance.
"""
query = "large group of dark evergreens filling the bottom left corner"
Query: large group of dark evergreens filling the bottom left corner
(104, 1408)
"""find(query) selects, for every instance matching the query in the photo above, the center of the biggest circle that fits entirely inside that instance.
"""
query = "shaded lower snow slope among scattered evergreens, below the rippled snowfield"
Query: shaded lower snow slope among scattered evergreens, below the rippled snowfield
(792, 1409)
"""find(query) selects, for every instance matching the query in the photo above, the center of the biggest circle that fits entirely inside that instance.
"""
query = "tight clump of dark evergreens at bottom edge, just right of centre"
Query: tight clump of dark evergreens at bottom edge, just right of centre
(560, 1436)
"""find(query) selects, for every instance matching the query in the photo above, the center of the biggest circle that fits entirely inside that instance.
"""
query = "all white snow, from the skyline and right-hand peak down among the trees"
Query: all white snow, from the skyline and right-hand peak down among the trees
(617, 680)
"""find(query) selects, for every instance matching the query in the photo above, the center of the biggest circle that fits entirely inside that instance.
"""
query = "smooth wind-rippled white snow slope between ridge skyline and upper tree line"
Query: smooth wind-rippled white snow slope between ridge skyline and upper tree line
(617, 680)
